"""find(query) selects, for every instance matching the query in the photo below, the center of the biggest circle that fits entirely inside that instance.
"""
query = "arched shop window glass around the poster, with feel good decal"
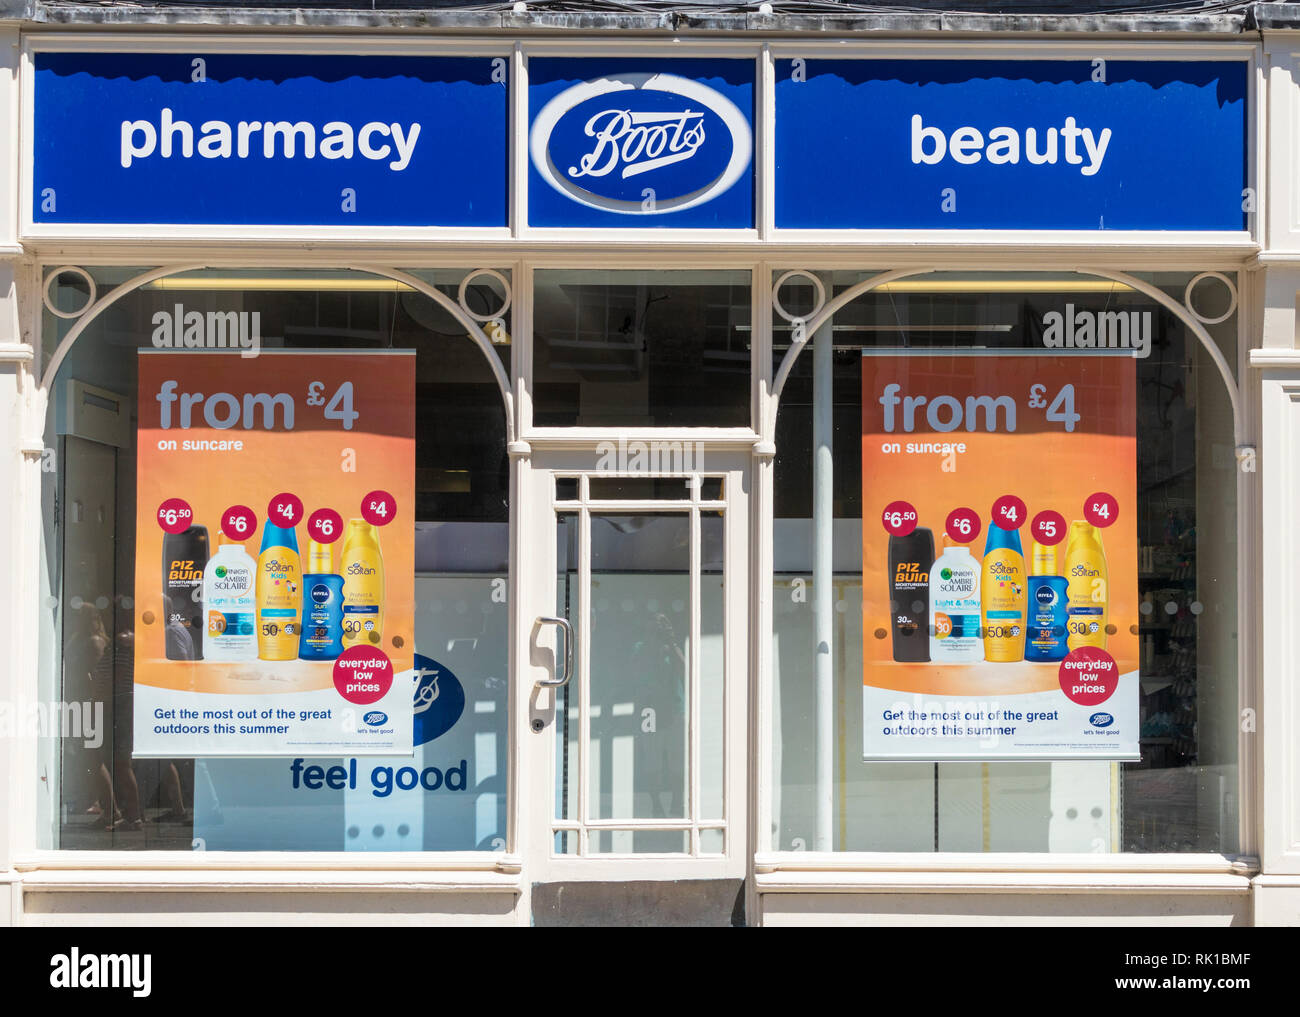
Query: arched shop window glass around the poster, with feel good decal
(97, 793)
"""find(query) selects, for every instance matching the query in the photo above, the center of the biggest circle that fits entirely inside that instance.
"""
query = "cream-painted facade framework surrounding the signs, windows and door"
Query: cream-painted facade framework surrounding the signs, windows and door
(1258, 885)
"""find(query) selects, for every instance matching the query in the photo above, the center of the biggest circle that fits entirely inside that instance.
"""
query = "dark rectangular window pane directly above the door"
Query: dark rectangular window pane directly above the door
(642, 349)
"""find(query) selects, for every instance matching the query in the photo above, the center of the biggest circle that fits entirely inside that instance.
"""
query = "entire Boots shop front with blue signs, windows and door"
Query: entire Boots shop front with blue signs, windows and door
(527, 481)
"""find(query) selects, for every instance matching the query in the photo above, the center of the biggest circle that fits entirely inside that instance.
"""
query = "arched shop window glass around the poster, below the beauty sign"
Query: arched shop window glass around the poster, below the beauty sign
(1182, 794)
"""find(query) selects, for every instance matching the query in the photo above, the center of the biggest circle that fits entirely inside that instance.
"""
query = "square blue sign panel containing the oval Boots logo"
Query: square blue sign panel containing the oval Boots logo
(636, 144)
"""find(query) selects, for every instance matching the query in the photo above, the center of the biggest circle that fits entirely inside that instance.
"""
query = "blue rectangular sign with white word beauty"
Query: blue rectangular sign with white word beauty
(1011, 145)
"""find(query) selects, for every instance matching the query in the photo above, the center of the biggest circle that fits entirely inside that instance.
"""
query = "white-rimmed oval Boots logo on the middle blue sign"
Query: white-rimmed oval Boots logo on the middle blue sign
(642, 144)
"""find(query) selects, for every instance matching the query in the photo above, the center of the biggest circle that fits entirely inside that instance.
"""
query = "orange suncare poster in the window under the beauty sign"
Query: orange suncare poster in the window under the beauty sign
(1000, 556)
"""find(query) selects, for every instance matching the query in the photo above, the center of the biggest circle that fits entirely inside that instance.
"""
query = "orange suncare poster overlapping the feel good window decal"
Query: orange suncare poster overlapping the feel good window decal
(275, 553)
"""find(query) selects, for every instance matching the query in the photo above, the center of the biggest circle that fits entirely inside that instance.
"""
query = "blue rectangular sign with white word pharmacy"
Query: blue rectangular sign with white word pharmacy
(271, 140)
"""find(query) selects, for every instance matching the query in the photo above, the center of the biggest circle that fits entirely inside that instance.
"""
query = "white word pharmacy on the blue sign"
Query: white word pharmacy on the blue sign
(223, 140)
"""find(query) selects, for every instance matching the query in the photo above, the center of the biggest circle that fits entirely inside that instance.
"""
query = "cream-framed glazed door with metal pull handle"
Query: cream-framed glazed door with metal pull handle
(636, 667)
